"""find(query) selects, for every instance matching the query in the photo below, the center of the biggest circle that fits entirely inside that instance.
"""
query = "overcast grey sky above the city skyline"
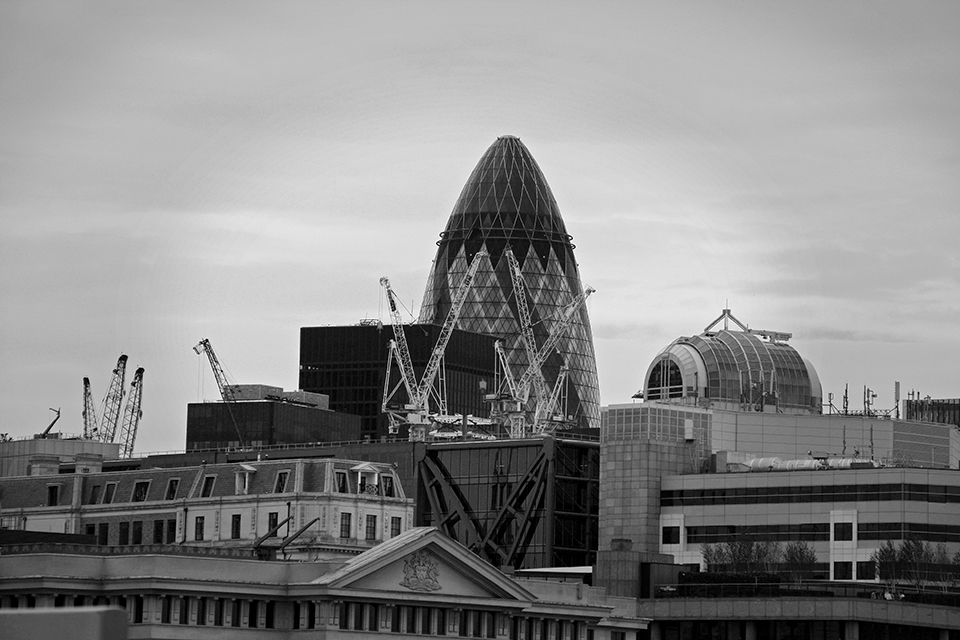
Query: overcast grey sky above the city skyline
(172, 171)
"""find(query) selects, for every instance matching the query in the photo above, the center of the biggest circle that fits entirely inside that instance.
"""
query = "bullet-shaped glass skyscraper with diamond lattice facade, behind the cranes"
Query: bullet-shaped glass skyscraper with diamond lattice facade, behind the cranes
(507, 202)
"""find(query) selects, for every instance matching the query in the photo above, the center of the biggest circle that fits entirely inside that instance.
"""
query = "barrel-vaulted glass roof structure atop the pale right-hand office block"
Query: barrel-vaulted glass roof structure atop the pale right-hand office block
(740, 370)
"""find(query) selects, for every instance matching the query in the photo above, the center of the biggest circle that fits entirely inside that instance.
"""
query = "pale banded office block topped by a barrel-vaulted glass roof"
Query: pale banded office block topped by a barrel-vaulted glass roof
(743, 400)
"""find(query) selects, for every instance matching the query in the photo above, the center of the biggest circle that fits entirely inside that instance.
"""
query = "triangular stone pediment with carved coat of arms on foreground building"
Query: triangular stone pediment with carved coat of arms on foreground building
(424, 562)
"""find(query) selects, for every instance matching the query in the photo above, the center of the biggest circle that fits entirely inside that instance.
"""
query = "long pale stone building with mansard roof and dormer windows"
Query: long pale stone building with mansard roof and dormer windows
(297, 508)
